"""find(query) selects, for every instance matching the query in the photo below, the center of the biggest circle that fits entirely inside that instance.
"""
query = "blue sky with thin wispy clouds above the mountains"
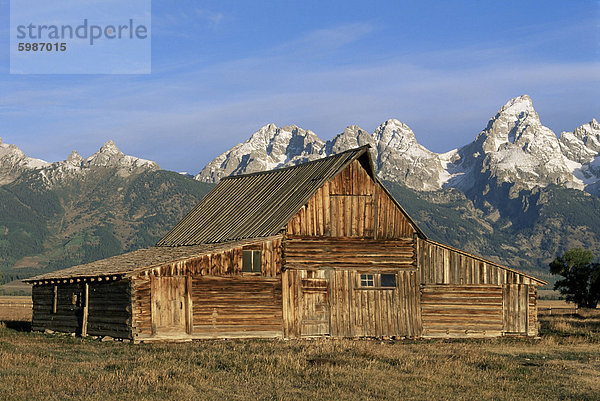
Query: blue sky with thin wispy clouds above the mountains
(222, 69)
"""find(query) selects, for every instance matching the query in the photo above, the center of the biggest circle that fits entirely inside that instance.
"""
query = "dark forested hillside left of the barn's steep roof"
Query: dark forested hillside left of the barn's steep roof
(85, 217)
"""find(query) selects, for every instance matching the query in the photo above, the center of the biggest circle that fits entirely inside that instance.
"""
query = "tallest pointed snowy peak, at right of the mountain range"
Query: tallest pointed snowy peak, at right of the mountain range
(514, 148)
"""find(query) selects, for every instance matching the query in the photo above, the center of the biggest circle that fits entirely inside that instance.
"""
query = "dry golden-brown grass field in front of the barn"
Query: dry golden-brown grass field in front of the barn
(563, 364)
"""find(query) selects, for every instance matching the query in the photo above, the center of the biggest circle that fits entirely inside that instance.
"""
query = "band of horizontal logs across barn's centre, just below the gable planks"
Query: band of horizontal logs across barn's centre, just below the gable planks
(349, 253)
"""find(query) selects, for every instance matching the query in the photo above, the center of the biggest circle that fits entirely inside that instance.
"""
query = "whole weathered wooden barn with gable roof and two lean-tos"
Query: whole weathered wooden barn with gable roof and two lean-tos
(318, 249)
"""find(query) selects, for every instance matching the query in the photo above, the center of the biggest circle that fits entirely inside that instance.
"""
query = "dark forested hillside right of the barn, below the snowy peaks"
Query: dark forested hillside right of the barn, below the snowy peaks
(525, 233)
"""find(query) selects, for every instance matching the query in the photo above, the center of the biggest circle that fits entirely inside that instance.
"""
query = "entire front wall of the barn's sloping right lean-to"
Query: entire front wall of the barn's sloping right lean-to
(455, 284)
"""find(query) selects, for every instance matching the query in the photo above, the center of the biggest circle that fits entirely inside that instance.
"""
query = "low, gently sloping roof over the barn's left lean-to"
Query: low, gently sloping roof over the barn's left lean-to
(138, 260)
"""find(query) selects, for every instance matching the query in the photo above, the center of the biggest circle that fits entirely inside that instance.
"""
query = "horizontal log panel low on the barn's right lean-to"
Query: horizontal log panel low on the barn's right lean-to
(462, 310)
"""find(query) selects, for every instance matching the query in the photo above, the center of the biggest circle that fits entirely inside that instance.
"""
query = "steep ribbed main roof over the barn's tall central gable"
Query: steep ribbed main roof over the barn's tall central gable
(261, 204)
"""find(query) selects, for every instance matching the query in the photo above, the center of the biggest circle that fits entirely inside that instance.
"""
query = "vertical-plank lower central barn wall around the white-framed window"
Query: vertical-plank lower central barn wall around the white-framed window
(353, 311)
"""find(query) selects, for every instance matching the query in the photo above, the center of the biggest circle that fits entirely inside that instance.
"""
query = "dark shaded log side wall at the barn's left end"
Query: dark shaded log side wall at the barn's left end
(61, 307)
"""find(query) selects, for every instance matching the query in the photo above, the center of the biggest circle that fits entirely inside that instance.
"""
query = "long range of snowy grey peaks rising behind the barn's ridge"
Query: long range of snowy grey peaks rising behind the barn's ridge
(515, 148)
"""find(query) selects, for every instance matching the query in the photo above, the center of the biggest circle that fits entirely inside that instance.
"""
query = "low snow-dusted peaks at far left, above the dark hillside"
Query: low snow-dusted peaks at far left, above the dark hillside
(13, 163)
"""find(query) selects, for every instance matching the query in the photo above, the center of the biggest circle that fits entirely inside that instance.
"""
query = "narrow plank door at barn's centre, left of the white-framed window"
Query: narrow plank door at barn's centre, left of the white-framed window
(315, 307)
